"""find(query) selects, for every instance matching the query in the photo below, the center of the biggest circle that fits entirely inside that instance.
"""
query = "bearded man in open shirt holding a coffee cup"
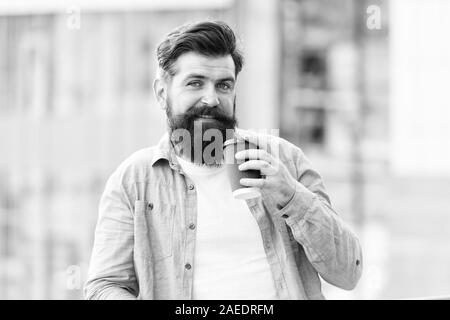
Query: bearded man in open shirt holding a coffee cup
(169, 226)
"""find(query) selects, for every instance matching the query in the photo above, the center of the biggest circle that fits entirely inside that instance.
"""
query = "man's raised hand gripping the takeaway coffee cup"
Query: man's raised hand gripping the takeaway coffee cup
(276, 177)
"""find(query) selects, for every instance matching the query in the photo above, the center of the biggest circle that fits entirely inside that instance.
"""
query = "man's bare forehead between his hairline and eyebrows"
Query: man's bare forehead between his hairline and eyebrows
(211, 67)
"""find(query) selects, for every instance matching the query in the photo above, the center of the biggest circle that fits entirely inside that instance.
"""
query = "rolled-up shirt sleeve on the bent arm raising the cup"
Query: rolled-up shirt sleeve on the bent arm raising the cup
(330, 245)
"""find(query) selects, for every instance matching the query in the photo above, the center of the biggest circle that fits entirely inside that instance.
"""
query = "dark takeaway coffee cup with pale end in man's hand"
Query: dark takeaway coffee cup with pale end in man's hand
(231, 147)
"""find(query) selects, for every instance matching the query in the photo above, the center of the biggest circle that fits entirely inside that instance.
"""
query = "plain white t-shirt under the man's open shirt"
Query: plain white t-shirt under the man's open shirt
(230, 261)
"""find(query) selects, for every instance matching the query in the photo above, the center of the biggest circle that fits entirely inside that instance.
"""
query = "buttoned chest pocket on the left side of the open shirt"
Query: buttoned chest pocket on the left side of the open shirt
(154, 226)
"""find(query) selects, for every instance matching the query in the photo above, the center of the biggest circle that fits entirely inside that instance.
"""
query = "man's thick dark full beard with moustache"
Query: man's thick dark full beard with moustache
(187, 133)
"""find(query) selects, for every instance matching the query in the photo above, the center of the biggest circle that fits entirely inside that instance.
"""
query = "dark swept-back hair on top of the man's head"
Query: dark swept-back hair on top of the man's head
(210, 38)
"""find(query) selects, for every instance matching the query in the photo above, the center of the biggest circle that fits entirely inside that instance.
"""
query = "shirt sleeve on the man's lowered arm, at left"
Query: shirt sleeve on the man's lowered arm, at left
(111, 272)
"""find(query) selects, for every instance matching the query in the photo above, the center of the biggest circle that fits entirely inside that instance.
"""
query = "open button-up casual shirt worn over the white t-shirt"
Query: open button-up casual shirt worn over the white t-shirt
(145, 237)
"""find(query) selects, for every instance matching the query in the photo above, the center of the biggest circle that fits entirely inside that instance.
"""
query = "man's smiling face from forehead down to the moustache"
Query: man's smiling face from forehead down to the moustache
(201, 93)
